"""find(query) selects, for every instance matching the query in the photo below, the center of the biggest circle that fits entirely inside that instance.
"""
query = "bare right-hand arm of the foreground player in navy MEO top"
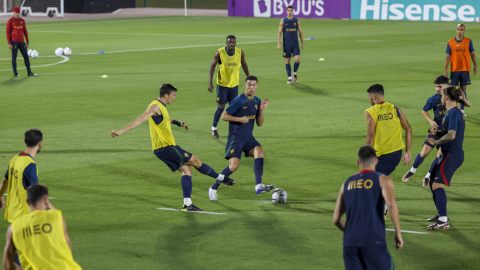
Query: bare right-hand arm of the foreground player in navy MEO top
(386, 183)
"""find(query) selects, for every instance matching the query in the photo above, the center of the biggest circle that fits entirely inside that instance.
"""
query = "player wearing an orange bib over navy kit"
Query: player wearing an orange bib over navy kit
(459, 51)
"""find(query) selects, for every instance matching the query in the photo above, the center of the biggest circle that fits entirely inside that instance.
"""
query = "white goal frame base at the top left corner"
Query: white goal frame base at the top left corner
(42, 8)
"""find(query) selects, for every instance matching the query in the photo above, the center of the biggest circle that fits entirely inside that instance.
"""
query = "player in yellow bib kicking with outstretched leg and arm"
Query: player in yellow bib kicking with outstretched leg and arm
(164, 146)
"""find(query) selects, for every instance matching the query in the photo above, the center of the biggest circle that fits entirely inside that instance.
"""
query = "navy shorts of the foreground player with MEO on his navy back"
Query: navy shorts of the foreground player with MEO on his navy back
(371, 258)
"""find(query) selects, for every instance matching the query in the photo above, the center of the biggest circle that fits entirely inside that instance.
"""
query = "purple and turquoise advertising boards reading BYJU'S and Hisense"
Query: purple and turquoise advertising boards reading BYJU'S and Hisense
(406, 10)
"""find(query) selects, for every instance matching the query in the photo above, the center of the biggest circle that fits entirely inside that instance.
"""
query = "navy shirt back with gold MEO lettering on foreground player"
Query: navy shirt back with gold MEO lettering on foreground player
(364, 205)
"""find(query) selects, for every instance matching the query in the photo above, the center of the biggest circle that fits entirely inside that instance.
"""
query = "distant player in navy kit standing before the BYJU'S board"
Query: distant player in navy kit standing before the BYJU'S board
(289, 26)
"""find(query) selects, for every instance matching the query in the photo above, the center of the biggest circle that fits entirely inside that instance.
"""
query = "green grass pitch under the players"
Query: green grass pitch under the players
(109, 189)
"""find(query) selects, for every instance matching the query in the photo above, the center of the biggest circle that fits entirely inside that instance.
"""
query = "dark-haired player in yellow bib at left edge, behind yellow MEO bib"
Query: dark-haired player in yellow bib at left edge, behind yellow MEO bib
(21, 173)
